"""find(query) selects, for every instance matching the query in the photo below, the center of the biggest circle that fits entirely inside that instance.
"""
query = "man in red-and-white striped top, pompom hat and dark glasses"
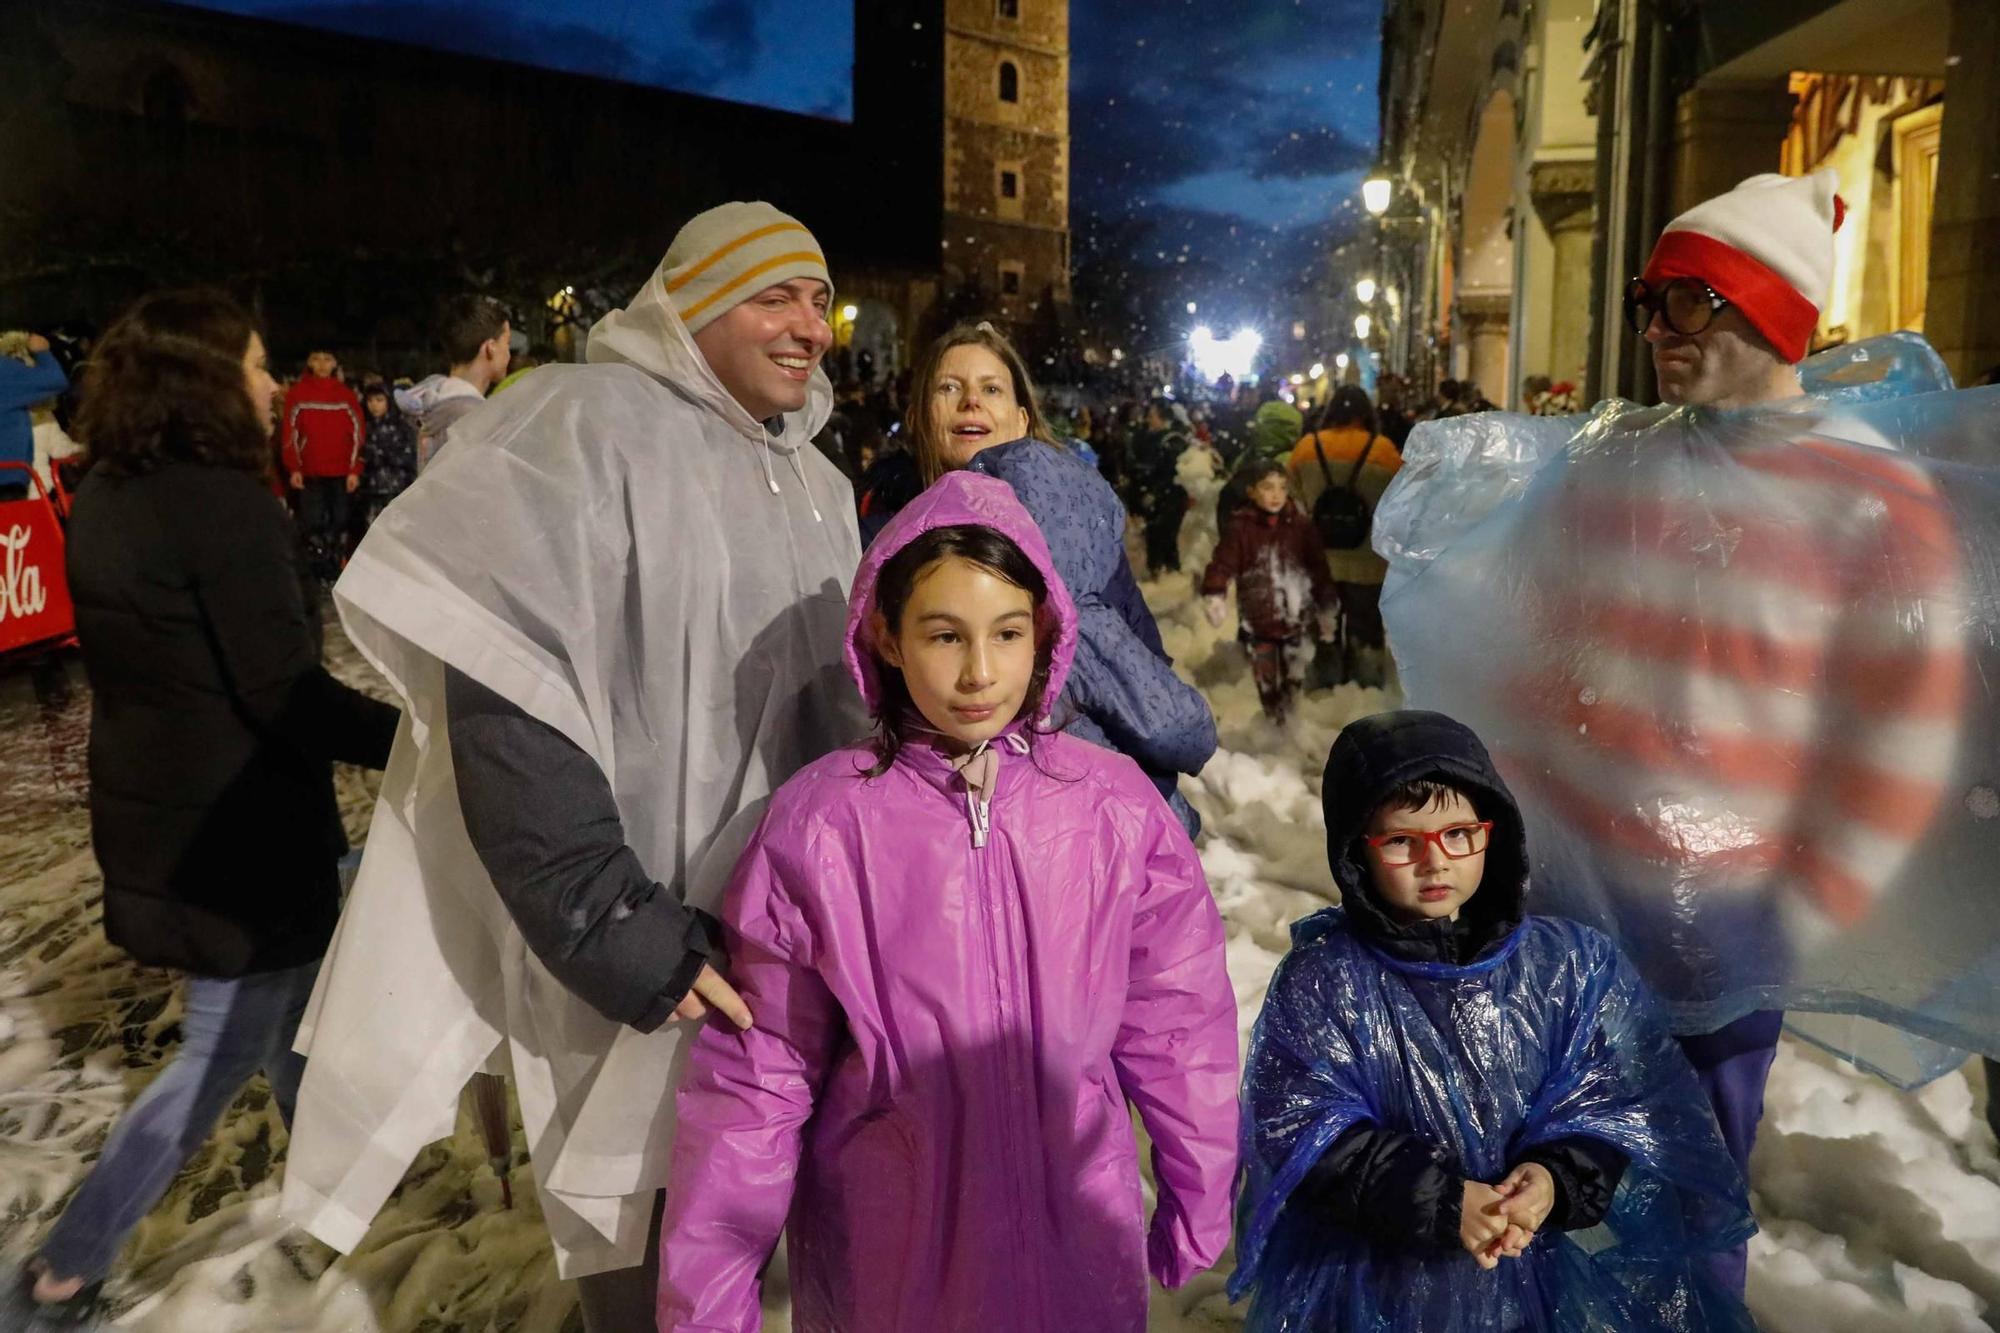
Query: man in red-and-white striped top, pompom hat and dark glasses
(1715, 722)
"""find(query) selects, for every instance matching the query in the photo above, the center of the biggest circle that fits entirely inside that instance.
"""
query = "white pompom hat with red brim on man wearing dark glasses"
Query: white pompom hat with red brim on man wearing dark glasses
(1767, 247)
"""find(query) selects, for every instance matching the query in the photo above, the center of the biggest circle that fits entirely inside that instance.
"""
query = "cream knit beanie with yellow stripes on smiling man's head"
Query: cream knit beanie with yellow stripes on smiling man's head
(733, 253)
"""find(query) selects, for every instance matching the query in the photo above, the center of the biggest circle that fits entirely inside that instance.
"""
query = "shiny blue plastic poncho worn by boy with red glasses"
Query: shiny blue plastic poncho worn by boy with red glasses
(1553, 1038)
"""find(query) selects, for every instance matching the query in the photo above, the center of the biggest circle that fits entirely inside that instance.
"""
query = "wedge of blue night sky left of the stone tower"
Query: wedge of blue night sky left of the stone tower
(789, 55)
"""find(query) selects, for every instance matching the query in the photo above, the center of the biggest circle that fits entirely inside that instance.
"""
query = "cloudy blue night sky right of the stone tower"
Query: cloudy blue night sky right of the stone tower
(1227, 139)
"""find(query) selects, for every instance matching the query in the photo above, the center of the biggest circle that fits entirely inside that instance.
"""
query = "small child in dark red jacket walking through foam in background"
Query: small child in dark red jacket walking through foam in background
(1285, 593)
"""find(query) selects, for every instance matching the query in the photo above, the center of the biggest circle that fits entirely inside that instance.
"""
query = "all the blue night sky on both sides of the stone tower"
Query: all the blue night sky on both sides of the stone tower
(1217, 145)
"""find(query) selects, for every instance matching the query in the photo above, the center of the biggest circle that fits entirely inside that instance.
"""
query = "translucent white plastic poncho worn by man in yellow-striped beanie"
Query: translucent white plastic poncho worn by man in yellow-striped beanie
(625, 553)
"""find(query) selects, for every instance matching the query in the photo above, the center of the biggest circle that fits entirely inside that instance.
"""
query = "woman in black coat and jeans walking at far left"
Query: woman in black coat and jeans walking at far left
(213, 738)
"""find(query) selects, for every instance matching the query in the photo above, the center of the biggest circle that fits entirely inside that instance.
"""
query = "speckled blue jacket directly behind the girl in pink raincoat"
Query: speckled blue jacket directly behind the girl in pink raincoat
(1123, 690)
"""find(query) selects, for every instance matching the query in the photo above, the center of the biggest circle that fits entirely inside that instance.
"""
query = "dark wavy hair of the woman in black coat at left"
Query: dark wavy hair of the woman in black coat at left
(167, 385)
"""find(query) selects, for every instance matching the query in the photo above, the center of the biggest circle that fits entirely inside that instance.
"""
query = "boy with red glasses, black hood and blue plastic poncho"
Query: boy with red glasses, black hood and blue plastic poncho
(1459, 1116)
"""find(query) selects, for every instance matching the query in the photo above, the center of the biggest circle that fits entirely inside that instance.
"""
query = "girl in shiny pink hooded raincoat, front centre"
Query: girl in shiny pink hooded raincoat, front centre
(967, 948)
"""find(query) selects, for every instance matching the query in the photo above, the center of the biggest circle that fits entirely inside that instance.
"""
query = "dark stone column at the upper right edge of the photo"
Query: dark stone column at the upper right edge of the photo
(1963, 303)
